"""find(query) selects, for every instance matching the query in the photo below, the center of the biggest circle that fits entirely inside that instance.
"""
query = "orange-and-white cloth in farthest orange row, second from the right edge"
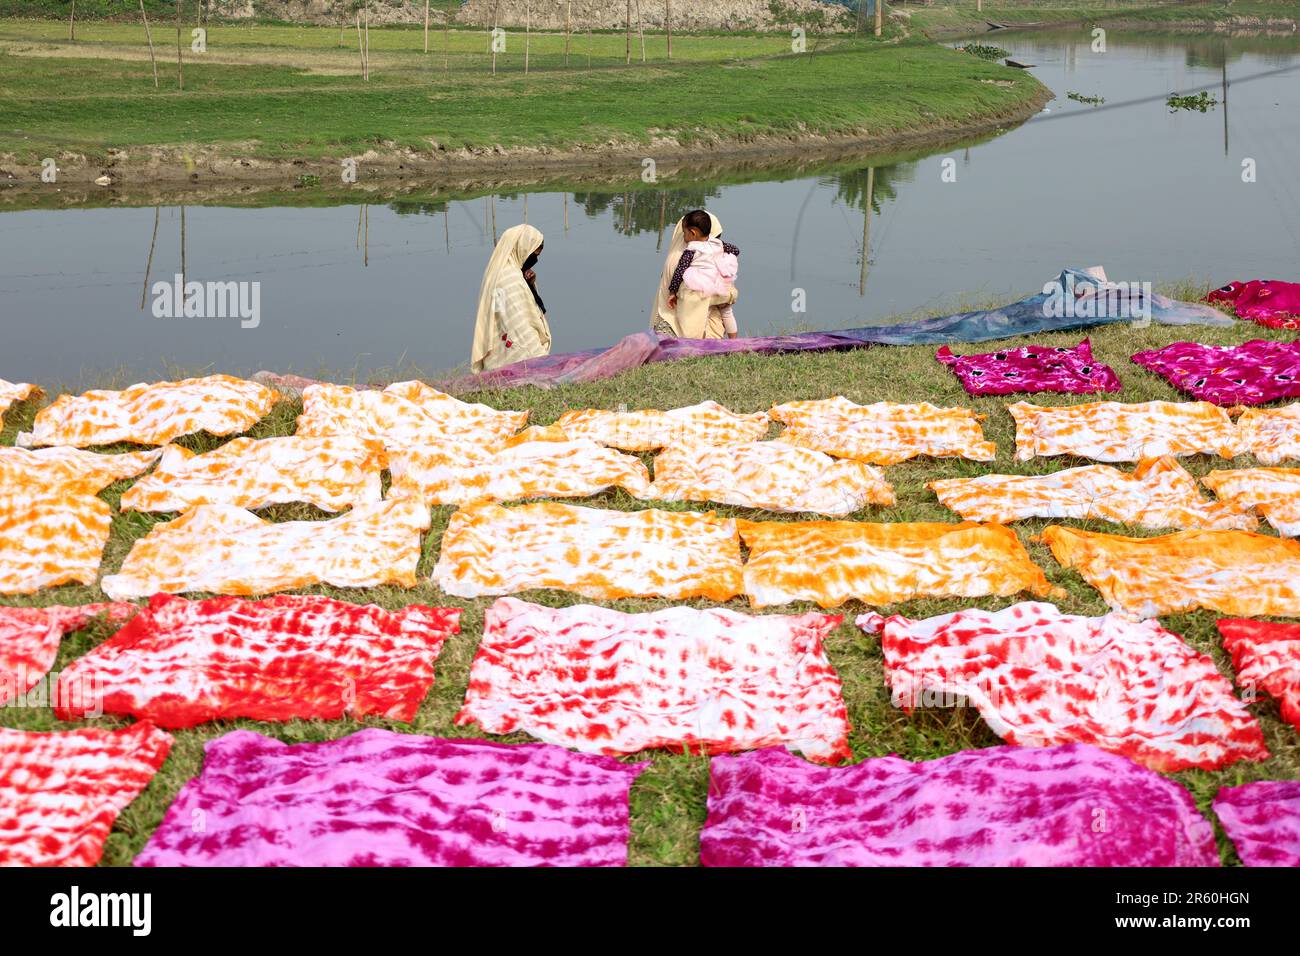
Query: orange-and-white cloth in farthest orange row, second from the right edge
(1119, 432)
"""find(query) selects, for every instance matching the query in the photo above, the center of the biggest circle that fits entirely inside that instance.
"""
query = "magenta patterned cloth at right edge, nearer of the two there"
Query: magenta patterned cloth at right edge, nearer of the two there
(1250, 374)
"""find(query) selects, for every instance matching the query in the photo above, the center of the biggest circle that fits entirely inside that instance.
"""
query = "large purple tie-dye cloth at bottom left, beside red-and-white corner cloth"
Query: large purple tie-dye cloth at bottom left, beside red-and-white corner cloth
(383, 799)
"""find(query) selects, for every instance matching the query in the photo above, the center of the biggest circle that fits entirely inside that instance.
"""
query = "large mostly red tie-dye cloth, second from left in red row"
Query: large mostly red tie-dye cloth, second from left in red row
(180, 663)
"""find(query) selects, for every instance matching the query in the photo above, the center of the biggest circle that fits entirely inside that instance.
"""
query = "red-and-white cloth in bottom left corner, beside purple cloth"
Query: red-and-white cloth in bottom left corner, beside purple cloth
(60, 793)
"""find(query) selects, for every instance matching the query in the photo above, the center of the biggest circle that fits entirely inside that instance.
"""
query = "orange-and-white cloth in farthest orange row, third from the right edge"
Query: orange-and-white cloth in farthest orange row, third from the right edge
(883, 434)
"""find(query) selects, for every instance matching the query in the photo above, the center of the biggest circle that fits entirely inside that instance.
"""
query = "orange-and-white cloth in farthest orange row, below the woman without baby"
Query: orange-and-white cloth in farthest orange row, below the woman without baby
(404, 414)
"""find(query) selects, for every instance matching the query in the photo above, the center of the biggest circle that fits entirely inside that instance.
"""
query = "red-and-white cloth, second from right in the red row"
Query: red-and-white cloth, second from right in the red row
(1039, 678)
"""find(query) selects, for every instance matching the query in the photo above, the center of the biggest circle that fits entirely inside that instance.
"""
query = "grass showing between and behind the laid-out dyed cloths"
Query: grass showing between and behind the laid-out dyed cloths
(669, 801)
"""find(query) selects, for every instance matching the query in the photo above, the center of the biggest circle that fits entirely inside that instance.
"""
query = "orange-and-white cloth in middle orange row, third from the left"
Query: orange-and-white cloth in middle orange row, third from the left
(538, 464)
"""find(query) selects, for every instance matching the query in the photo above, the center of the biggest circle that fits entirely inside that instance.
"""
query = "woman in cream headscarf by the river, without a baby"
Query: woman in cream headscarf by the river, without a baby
(512, 325)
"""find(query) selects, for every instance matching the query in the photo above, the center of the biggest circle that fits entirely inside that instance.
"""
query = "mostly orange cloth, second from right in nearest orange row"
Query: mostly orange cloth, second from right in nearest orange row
(833, 563)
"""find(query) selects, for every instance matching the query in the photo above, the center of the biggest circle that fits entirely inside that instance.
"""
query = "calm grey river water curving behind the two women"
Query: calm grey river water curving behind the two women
(1150, 194)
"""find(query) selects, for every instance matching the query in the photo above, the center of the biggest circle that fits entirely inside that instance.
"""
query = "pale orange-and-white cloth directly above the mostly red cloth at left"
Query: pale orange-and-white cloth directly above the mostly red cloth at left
(227, 551)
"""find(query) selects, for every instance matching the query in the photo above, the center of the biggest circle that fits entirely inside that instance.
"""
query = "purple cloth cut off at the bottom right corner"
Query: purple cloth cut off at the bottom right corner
(1263, 820)
